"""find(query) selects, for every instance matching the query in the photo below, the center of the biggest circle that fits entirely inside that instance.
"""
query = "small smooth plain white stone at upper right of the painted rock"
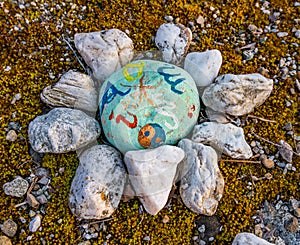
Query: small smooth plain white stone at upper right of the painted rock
(203, 67)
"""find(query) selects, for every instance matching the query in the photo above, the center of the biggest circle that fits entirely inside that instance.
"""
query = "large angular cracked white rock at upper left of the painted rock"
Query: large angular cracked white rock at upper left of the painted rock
(104, 51)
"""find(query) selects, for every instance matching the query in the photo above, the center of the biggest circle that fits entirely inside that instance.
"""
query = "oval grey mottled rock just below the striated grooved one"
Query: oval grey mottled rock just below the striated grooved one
(62, 130)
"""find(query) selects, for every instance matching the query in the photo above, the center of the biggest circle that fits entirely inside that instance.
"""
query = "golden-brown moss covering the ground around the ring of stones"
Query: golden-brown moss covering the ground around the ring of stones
(31, 43)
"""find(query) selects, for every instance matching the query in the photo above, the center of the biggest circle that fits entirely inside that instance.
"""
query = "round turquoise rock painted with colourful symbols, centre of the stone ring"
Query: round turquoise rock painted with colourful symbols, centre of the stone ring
(147, 104)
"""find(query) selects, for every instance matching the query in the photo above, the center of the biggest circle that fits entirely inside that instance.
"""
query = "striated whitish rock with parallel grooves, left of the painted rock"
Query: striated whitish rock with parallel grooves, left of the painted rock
(74, 90)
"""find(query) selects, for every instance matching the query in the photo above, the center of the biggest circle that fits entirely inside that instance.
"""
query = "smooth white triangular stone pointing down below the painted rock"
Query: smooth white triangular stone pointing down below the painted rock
(152, 174)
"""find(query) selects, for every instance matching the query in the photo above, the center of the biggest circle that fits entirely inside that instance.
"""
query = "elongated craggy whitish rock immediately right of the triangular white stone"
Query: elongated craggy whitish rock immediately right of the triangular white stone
(201, 188)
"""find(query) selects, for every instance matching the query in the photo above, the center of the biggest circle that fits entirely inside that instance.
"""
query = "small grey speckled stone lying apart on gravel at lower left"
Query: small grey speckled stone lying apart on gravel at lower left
(17, 188)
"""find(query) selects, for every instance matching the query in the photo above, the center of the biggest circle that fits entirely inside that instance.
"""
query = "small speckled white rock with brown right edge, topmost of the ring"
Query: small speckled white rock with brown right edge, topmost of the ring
(173, 40)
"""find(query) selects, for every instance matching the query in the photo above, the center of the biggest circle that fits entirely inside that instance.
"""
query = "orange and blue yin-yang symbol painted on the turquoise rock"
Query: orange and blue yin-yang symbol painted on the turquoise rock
(151, 135)
